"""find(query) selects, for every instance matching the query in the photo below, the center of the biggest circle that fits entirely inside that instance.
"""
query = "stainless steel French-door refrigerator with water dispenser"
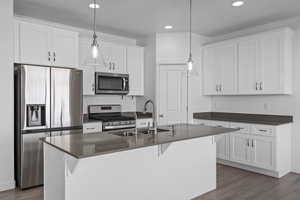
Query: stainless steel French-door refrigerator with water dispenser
(48, 101)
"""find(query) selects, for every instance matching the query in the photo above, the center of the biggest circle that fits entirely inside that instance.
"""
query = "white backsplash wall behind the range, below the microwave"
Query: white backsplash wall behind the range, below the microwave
(128, 103)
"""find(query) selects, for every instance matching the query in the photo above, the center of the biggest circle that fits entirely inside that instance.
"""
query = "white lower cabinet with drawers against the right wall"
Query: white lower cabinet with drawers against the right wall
(255, 147)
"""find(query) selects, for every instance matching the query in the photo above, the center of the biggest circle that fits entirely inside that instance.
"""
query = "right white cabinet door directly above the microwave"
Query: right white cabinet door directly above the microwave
(118, 58)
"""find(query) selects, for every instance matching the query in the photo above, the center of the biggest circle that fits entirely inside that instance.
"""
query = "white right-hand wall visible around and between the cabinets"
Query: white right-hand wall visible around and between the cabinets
(276, 104)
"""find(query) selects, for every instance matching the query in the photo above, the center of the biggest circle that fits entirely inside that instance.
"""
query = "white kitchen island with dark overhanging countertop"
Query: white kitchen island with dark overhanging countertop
(178, 163)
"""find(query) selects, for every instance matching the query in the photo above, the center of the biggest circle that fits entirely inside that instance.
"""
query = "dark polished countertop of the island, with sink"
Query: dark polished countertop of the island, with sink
(95, 144)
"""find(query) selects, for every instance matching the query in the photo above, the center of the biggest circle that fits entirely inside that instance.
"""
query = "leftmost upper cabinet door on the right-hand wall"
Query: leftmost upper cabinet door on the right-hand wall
(211, 72)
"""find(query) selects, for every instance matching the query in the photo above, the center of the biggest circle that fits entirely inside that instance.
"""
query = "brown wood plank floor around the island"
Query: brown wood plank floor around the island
(233, 184)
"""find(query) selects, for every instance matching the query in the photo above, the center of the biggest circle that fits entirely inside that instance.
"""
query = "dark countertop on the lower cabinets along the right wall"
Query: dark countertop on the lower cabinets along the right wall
(245, 118)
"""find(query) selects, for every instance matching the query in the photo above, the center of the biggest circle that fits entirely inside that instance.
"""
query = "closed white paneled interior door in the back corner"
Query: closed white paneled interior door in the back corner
(172, 94)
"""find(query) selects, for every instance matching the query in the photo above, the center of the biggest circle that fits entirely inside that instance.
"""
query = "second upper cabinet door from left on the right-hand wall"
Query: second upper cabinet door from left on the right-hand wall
(227, 63)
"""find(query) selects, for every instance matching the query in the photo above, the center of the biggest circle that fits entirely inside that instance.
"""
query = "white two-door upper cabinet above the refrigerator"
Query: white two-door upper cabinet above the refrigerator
(44, 45)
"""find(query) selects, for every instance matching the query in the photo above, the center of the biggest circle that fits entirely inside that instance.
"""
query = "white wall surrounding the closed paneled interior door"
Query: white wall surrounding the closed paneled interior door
(172, 48)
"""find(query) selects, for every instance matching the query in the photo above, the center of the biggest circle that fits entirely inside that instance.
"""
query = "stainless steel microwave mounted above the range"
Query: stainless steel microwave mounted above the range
(111, 83)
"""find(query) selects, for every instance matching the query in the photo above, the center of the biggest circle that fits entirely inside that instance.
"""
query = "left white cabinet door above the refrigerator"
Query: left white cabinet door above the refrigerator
(34, 44)
